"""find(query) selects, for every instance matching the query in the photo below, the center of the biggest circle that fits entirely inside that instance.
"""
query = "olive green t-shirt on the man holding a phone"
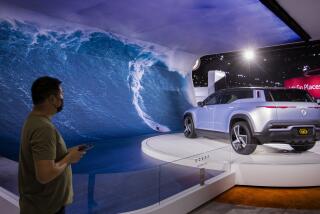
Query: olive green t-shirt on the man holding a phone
(40, 140)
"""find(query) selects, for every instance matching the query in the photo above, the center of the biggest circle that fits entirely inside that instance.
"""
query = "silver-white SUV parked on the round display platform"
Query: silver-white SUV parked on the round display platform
(252, 116)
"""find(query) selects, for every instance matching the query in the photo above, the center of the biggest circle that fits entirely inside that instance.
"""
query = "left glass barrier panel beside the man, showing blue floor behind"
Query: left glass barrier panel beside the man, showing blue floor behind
(115, 192)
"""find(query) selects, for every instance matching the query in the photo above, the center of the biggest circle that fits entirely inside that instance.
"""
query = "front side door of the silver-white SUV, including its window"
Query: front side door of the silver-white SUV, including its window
(205, 113)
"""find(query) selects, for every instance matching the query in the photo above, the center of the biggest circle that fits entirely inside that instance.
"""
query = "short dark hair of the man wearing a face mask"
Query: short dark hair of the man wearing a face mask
(43, 87)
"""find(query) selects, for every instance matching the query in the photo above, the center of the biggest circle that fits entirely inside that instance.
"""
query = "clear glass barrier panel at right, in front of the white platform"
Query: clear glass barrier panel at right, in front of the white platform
(182, 174)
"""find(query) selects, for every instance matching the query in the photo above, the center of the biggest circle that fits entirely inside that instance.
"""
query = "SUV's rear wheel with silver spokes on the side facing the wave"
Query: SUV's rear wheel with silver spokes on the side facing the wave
(241, 138)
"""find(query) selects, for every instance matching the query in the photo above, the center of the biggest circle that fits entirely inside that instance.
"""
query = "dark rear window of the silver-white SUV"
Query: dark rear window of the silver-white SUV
(289, 95)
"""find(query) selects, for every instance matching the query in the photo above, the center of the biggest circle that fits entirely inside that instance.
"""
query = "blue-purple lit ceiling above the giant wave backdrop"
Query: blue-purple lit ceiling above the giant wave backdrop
(193, 26)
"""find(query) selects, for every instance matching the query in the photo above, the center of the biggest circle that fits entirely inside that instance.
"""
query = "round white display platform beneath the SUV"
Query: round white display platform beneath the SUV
(274, 165)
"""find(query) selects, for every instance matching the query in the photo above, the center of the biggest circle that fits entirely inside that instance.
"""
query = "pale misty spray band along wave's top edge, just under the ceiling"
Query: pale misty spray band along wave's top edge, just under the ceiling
(175, 59)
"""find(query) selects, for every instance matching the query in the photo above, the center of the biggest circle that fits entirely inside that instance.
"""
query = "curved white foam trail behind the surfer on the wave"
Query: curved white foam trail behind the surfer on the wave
(137, 69)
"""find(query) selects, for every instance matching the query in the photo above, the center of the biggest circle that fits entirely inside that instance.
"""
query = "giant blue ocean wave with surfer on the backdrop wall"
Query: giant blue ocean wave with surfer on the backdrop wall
(113, 87)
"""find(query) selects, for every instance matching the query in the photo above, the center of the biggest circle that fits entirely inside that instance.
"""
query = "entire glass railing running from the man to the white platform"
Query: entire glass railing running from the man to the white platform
(127, 191)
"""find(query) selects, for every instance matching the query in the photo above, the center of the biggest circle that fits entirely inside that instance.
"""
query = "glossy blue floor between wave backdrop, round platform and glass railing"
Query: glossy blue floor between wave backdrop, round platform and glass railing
(116, 156)
